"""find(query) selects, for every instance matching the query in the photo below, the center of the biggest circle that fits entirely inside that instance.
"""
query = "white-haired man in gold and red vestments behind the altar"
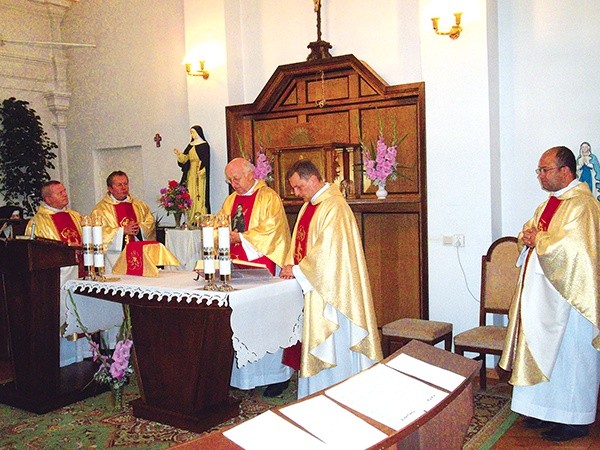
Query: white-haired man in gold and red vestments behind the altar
(262, 235)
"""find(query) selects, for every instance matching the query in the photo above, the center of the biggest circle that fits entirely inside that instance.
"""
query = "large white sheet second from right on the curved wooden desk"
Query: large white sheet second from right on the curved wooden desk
(387, 396)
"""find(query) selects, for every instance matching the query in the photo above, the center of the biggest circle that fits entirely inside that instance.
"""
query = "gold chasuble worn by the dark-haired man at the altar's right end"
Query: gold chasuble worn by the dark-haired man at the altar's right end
(334, 264)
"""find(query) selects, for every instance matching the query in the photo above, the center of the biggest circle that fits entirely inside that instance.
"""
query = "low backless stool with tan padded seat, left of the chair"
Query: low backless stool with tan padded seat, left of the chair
(401, 331)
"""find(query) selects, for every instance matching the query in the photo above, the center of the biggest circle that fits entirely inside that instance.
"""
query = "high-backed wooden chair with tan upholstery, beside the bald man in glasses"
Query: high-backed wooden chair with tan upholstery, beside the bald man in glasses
(499, 276)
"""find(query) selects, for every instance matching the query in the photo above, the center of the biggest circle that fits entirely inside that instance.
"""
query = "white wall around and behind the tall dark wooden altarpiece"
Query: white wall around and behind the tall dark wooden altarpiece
(522, 77)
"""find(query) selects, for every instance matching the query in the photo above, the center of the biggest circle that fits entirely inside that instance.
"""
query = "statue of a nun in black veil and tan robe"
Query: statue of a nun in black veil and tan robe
(195, 165)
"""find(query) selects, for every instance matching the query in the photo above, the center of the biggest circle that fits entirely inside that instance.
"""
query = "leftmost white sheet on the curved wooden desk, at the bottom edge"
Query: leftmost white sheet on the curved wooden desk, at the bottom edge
(271, 432)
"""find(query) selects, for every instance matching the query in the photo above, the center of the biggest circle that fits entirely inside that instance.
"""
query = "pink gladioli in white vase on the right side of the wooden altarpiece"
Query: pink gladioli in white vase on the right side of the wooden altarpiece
(379, 159)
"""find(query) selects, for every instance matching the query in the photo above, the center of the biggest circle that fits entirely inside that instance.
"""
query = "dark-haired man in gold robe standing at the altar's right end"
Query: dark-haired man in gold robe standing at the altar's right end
(339, 336)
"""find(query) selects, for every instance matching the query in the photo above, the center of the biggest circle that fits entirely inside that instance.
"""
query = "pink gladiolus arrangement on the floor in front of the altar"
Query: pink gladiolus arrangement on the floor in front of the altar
(114, 369)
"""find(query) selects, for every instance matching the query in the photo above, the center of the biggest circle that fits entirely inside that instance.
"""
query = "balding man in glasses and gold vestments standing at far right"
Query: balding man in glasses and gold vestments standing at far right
(552, 341)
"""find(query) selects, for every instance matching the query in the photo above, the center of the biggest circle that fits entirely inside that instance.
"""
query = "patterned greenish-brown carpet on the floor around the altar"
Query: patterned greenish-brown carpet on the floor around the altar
(93, 423)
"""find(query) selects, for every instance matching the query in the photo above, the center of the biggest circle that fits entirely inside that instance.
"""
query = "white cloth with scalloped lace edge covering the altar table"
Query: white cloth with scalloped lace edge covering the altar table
(266, 312)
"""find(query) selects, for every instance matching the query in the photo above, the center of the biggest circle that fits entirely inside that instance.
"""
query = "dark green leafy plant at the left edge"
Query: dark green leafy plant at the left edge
(25, 154)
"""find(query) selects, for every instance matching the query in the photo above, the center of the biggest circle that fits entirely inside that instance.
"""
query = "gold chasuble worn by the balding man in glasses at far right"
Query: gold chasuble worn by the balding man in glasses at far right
(566, 247)
